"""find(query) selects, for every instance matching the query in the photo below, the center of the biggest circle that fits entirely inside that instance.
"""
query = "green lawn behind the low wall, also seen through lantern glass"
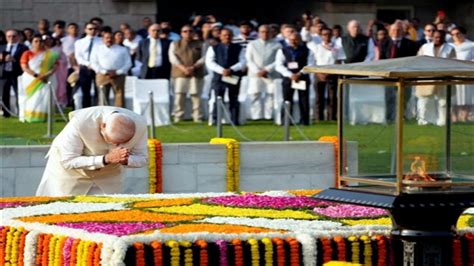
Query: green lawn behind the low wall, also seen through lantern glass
(374, 142)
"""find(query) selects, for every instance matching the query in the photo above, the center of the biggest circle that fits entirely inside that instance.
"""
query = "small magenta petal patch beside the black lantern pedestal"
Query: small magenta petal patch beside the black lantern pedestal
(350, 211)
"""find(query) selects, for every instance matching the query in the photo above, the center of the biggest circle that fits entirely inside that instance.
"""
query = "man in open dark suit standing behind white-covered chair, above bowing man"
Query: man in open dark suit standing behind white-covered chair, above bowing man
(153, 54)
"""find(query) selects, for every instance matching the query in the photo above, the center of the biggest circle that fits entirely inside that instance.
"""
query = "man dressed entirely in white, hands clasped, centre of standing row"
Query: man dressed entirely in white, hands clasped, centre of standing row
(260, 56)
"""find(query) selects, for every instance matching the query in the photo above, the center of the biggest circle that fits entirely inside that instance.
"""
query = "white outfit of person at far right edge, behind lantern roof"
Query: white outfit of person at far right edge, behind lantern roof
(464, 93)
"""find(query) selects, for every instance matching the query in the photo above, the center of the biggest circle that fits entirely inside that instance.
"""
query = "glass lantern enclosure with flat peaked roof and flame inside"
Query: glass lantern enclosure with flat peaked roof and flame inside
(403, 126)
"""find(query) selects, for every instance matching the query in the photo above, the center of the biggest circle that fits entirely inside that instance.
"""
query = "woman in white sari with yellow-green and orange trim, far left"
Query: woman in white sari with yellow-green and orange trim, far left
(38, 67)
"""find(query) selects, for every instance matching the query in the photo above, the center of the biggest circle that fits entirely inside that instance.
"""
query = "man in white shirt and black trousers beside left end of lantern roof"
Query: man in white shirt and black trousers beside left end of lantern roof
(326, 53)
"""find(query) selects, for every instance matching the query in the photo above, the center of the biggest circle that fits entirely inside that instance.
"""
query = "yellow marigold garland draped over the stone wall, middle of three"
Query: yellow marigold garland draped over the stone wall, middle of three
(233, 162)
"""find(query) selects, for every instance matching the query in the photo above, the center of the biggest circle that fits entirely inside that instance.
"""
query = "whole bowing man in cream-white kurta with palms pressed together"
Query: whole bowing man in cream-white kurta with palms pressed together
(88, 155)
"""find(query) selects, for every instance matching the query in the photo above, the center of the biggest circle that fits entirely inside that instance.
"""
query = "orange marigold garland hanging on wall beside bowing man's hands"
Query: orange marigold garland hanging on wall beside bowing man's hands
(155, 166)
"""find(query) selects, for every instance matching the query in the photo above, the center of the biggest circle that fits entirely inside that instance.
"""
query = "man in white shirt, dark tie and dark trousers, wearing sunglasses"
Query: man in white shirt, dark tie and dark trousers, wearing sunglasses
(83, 49)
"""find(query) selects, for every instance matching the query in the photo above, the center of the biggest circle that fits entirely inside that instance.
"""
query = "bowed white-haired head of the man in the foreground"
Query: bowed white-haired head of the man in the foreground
(119, 128)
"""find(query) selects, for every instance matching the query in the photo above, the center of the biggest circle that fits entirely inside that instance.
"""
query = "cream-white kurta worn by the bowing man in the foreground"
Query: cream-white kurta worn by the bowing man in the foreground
(75, 162)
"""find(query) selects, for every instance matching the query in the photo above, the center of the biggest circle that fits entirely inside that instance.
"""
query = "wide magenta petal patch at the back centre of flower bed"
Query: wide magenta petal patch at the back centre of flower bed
(263, 201)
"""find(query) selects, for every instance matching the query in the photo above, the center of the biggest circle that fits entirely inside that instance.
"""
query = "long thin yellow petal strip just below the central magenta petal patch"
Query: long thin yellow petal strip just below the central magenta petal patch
(202, 209)
